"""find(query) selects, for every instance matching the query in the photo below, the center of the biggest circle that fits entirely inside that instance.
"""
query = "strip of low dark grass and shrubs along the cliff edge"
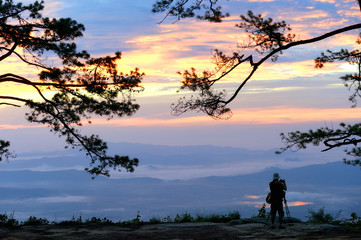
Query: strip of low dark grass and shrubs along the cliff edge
(352, 224)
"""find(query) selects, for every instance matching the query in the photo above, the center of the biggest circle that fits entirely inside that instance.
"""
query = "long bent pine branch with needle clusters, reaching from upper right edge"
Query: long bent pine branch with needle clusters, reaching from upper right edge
(266, 38)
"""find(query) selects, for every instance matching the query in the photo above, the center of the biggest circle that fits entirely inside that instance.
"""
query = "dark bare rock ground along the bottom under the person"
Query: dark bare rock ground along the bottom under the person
(187, 231)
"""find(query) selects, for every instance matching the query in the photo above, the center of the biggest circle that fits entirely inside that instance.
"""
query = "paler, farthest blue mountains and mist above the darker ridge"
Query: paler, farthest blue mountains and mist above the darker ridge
(177, 162)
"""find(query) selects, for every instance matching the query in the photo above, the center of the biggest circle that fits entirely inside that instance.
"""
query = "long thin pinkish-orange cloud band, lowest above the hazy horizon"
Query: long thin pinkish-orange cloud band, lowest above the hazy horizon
(254, 116)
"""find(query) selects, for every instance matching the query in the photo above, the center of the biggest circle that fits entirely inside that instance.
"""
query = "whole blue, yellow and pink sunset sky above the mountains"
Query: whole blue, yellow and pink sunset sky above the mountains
(287, 95)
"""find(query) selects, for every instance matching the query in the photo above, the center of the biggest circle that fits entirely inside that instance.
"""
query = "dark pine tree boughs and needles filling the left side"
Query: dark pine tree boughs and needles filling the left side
(83, 86)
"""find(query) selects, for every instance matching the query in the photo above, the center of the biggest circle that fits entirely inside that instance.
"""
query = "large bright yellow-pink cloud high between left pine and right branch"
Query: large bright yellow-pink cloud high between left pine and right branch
(175, 47)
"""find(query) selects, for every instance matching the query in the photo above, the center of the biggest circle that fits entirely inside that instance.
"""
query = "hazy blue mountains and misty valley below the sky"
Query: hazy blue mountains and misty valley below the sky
(171, 180)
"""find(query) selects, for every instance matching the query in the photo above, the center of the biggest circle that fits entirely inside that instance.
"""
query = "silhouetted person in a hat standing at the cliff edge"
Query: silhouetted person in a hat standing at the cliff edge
(278, 188)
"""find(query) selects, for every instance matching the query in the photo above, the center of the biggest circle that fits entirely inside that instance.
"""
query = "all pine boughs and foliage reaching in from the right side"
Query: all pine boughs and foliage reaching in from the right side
(267, 39)
